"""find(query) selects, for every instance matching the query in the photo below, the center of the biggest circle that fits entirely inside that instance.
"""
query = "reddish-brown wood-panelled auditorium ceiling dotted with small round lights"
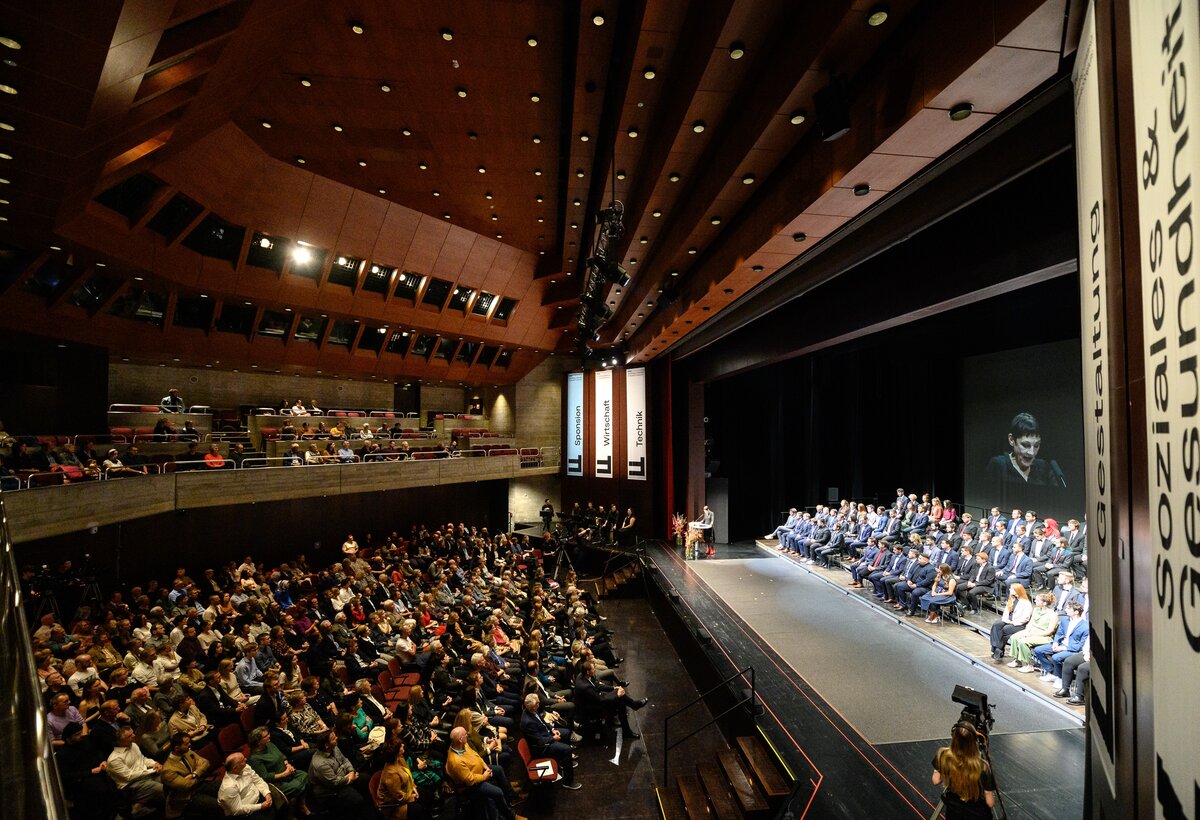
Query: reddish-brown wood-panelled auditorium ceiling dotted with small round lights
(407, 137)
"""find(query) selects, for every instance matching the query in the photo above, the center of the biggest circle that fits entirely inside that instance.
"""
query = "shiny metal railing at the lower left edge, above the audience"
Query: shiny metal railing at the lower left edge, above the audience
(29, 780)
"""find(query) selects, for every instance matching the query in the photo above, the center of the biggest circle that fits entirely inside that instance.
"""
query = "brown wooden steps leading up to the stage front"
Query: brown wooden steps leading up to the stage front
(743, 783)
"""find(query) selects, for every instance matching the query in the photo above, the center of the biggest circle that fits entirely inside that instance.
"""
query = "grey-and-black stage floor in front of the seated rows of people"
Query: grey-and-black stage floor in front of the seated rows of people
(857, 702)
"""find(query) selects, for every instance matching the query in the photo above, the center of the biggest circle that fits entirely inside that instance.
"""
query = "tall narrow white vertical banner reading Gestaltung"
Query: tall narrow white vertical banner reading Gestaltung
(1097, 438)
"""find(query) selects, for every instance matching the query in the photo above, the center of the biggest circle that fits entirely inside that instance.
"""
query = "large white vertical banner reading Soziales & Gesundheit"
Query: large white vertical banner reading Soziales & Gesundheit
(1165, 39)
